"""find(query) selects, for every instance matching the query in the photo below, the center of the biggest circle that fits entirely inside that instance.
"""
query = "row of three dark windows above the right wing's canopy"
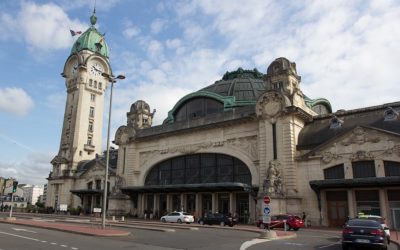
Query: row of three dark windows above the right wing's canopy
(362, 169)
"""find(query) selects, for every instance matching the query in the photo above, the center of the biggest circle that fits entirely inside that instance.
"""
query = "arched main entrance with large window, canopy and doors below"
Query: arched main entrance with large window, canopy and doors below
(198, 184)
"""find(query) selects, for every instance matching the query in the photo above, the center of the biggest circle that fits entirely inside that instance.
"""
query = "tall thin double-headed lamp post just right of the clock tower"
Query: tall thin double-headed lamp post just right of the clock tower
(112, 79)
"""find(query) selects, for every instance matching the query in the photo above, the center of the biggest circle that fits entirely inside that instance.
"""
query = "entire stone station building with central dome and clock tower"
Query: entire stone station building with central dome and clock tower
(224, 147)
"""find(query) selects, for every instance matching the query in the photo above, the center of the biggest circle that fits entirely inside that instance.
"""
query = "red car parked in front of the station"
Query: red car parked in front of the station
(278, 221)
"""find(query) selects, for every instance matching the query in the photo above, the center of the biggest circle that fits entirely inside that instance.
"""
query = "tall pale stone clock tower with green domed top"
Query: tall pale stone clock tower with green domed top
(83, 116)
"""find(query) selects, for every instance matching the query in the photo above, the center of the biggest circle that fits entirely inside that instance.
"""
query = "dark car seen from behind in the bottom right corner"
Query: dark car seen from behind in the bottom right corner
(364, 233)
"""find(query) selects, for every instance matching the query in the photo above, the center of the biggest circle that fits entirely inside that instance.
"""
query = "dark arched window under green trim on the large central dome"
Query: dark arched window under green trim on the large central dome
(198, 107)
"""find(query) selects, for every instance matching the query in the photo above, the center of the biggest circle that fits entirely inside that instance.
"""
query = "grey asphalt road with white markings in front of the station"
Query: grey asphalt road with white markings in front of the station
(194, 237)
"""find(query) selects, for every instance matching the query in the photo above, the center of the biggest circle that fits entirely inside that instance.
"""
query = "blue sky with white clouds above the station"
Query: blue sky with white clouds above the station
(345, 51)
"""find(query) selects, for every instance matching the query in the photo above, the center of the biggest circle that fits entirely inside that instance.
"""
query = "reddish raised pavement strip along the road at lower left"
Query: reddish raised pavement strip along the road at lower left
(94, 230)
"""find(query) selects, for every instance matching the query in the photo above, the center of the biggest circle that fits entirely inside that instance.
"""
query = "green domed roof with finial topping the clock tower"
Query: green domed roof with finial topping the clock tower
(91, 40)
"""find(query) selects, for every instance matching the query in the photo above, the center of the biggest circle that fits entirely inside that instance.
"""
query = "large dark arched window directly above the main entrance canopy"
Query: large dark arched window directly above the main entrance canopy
(199, 168)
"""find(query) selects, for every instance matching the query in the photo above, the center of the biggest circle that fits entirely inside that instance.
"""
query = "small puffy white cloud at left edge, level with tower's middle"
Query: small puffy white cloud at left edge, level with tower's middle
(15, 101)
